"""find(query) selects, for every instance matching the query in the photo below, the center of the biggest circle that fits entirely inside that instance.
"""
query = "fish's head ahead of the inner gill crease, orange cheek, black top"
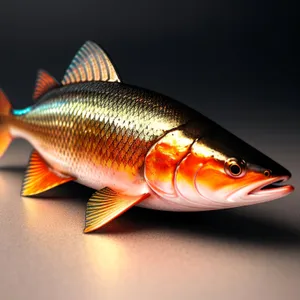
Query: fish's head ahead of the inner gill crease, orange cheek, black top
(228, 172)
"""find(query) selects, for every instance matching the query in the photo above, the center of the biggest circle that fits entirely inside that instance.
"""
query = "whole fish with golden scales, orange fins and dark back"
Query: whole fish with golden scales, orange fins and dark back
(134, 146)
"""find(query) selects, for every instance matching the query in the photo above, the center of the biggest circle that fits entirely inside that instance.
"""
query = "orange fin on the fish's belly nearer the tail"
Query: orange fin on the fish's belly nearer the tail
(39, 177)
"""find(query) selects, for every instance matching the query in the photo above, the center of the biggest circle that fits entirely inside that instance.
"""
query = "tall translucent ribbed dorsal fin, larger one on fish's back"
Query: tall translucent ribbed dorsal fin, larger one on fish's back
(91, 63)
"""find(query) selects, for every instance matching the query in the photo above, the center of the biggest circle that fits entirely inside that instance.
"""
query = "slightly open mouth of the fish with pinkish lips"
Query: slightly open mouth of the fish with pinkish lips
(272, 187)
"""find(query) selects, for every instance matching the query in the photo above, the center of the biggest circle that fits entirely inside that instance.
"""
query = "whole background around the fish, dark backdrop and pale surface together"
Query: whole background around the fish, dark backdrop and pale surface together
(235, 63)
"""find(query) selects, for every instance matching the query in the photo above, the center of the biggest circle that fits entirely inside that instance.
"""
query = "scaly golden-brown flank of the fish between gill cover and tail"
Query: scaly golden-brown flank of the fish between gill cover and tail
(101, 126)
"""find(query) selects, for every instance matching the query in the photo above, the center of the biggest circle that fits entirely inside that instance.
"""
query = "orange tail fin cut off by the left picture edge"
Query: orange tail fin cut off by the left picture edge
(5, 109)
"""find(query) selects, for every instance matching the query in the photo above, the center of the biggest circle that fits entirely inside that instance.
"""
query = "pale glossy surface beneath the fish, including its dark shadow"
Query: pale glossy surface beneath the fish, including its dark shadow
(246, 253)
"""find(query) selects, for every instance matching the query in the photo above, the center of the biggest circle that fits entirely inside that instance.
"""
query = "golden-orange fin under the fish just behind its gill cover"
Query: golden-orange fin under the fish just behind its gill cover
(105, 205)
